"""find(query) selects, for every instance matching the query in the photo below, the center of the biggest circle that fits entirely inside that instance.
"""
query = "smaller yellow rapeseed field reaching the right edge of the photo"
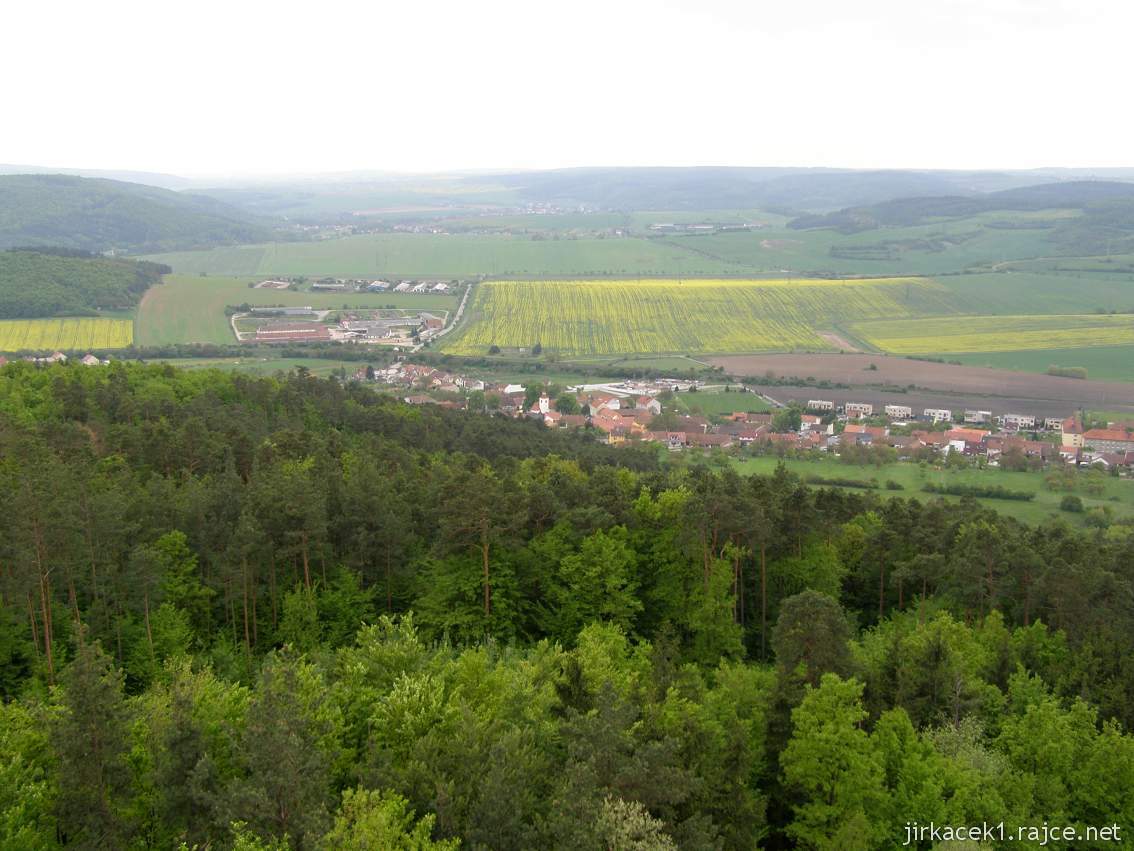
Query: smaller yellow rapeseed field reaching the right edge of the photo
(996, 334)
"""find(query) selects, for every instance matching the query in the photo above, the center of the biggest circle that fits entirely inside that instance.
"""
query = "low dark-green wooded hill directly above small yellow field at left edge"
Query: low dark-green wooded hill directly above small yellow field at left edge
(60, 282)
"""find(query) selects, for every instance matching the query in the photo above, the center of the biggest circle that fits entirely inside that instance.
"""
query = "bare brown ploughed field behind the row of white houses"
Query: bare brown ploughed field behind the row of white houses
(972, 383)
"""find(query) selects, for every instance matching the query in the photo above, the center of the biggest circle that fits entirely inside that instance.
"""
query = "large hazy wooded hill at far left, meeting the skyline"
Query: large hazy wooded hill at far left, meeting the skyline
(98, 215)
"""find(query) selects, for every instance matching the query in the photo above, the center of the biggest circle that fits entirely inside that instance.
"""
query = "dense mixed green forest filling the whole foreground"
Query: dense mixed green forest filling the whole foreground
(268, 613)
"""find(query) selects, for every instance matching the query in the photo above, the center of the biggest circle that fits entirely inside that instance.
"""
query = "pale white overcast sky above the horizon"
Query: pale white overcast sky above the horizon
(246, 87)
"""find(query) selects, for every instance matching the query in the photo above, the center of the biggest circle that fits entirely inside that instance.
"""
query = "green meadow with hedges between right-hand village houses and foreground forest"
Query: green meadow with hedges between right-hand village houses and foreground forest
(1119, 494)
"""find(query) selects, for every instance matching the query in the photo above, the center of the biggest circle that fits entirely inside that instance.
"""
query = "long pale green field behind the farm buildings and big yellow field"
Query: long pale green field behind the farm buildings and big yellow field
(451, 257)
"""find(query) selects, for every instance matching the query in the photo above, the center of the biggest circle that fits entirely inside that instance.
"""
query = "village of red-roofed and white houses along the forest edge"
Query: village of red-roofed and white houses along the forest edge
(644, 412)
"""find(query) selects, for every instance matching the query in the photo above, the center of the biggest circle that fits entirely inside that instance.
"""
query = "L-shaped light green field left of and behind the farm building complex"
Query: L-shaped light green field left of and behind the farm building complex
(191, 309)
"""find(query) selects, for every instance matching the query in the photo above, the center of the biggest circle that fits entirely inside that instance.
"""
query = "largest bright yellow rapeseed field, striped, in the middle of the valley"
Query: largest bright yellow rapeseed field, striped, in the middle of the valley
(649, 316)
